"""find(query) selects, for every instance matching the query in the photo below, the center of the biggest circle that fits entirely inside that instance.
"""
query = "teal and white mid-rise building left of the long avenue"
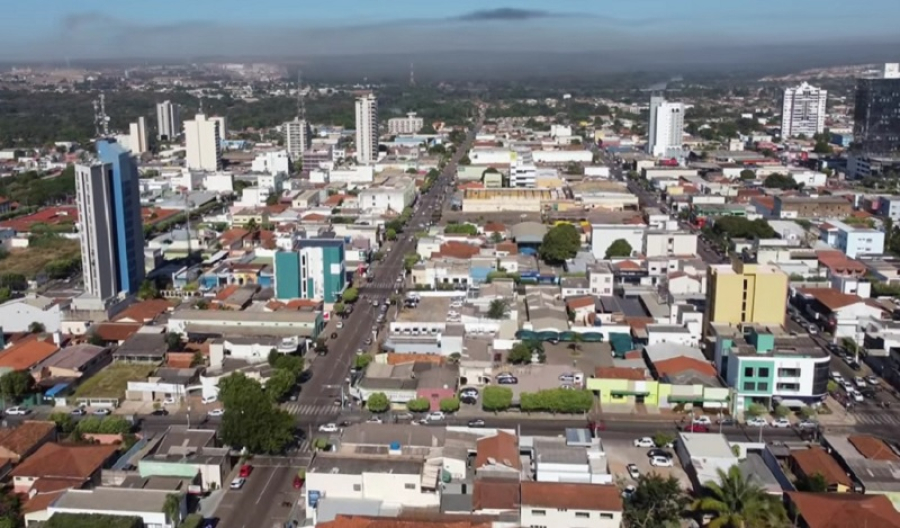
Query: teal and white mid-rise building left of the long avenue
(314, 270)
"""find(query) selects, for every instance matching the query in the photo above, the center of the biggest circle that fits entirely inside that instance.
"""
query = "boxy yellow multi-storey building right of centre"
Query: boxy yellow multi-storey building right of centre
(745, 293)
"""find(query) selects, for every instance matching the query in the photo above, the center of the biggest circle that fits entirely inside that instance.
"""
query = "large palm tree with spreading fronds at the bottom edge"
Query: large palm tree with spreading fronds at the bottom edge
(736, 501)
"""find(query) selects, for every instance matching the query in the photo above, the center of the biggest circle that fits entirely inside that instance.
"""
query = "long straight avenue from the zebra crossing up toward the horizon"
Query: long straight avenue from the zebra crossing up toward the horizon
(329, 372)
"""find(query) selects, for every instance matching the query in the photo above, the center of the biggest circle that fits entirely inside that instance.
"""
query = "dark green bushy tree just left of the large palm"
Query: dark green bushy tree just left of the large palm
(657, 502)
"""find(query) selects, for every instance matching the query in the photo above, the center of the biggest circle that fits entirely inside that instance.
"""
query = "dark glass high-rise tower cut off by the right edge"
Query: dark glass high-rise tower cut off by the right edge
(876, 117)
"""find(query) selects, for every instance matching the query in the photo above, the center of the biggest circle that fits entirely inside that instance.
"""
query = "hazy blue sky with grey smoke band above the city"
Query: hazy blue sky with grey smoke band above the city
(101, 29)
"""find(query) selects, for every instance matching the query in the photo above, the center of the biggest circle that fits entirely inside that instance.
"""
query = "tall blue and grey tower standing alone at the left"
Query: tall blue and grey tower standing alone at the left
(109, 210)
